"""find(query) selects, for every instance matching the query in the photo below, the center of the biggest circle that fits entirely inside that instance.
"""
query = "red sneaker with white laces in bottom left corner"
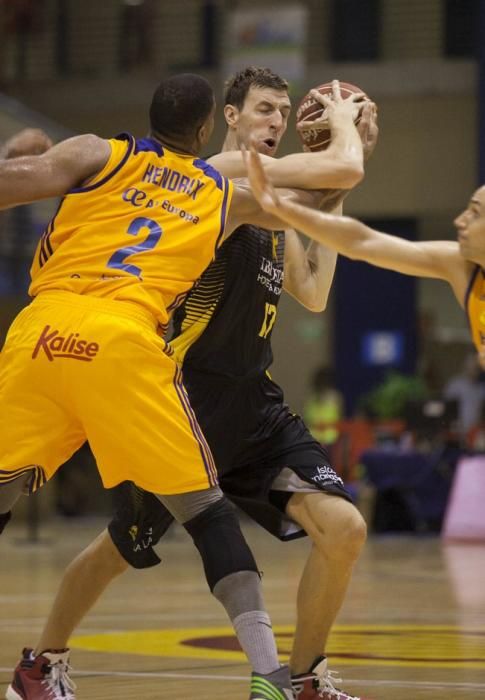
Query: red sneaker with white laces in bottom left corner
(43, 677)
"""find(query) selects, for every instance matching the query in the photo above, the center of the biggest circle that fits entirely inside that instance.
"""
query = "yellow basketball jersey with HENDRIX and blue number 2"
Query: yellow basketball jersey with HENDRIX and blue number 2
(142, 231)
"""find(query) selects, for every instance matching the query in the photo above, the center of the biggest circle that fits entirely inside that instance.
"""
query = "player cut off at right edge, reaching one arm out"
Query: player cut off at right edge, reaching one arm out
(461, 263)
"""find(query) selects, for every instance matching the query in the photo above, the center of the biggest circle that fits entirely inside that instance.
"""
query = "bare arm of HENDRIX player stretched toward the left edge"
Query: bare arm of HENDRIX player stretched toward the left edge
(52, 174)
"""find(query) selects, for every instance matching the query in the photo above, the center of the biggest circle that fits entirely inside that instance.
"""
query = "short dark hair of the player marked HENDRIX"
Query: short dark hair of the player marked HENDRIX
(180, 105)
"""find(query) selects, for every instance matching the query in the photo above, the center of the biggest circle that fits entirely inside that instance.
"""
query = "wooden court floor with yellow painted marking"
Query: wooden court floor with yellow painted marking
(412, 628)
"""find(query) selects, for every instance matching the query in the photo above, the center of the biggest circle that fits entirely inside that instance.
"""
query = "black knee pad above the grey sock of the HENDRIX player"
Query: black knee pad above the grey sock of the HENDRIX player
(221, 544)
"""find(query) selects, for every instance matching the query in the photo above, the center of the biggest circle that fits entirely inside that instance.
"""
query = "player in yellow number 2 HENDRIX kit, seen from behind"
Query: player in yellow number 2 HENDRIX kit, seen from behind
(139, 221)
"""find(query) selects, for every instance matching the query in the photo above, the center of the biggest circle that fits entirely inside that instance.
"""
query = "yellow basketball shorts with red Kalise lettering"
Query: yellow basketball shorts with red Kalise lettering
(78, 368)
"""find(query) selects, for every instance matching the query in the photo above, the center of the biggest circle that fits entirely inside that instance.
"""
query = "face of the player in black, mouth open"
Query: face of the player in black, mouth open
(263, 118)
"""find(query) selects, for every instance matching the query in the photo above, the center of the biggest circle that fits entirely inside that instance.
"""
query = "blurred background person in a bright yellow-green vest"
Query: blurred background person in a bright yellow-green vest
(325, 407)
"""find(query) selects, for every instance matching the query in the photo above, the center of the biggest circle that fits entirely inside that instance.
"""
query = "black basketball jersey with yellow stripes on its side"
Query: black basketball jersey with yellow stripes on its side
(224, 324)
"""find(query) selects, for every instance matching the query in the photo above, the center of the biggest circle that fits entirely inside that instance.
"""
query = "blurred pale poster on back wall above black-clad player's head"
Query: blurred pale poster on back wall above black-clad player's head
(270, 38)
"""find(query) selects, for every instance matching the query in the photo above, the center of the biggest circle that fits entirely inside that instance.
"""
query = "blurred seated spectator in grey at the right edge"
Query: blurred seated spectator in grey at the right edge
(468, 389)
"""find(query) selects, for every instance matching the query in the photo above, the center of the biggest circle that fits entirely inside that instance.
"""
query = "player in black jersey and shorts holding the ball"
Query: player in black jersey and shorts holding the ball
(268, 462)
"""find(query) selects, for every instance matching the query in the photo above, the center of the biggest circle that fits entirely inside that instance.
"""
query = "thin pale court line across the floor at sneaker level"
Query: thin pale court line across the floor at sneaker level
(437, 685)
